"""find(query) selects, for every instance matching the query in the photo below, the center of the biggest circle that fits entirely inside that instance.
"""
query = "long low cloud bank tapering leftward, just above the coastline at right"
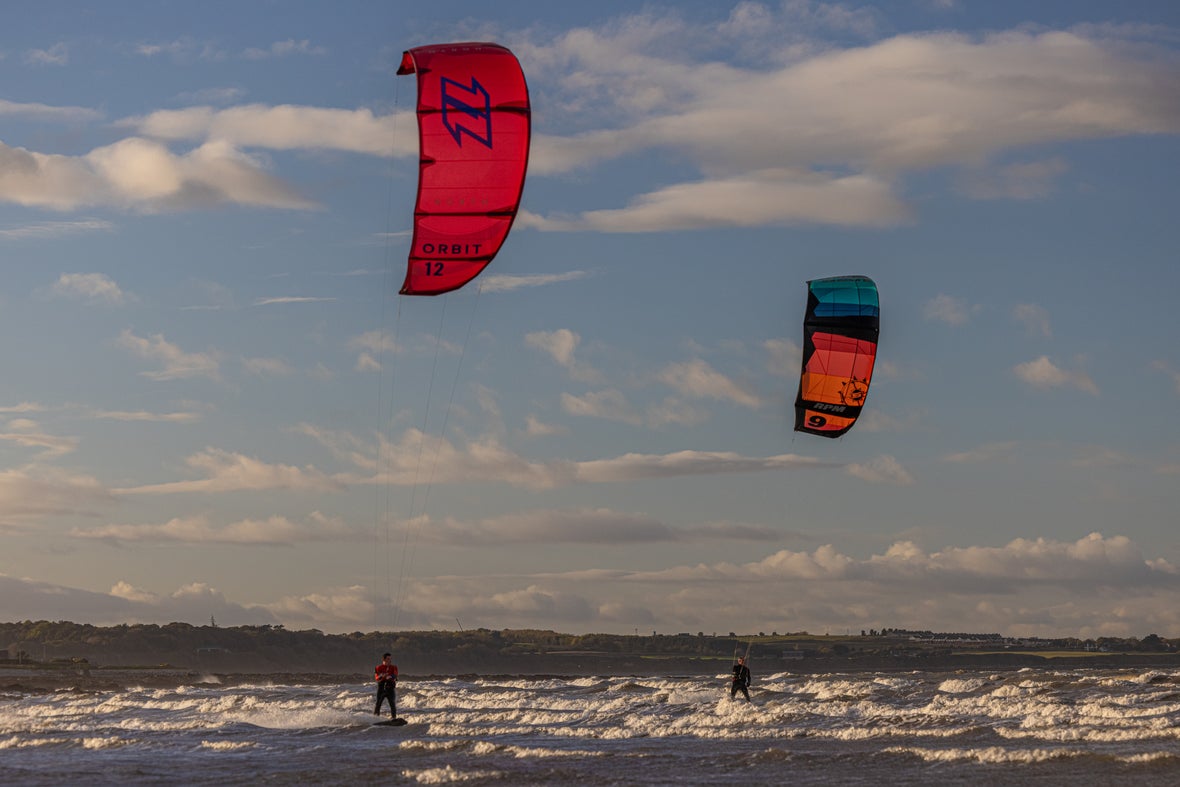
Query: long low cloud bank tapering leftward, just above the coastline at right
(1096, 586)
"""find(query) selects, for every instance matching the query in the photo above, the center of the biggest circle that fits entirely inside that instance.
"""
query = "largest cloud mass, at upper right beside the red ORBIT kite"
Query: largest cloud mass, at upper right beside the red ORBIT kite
(880, 110)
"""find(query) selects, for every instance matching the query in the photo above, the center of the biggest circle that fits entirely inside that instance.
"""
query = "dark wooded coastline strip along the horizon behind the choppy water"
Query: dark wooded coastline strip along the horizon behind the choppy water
(60, 655)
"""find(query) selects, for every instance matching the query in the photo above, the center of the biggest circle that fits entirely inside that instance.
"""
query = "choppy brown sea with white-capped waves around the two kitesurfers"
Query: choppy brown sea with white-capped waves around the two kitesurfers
(1018, 727)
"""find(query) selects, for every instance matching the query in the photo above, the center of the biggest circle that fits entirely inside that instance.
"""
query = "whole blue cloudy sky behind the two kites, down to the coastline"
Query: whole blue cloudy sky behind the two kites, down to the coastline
(217, 408)
